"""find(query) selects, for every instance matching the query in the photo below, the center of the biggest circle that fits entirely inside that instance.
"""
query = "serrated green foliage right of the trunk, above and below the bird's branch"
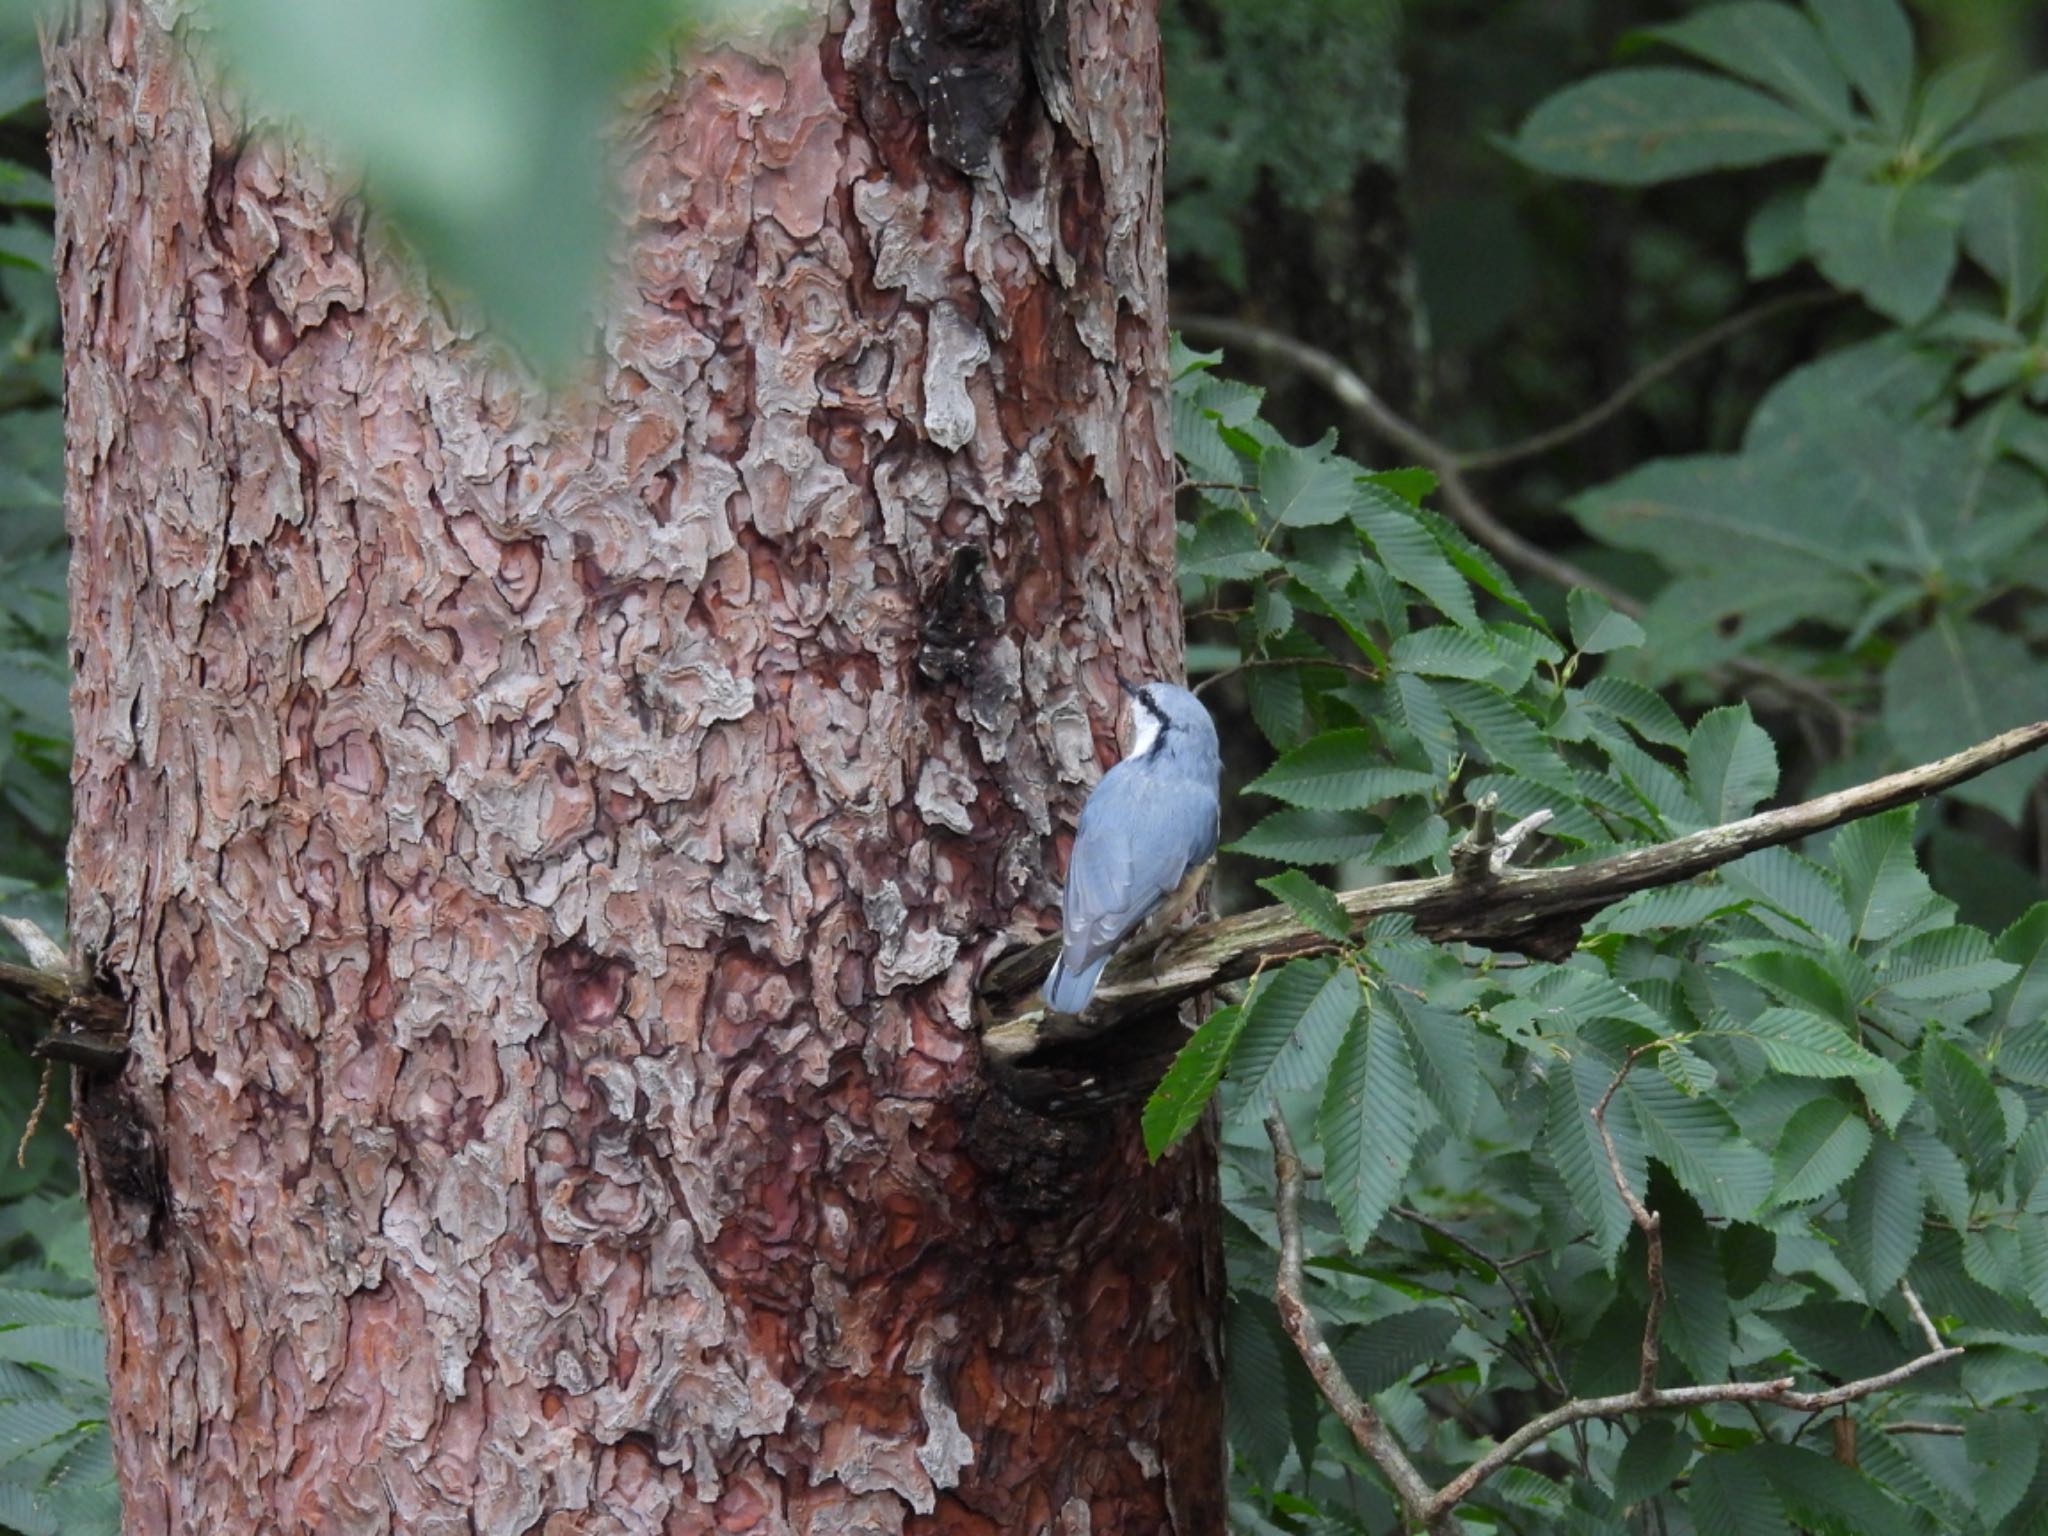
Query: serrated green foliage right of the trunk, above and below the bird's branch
(1818, 1074)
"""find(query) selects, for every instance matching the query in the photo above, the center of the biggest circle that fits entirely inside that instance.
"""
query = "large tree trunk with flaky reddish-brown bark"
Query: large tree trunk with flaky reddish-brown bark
(548, 847)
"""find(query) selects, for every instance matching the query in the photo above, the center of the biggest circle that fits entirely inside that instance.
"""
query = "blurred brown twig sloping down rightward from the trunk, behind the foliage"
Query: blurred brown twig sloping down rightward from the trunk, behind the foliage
(1463, 505)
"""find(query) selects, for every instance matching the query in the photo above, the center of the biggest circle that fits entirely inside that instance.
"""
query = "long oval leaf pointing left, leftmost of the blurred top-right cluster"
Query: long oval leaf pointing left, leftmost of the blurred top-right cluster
(1633, 128)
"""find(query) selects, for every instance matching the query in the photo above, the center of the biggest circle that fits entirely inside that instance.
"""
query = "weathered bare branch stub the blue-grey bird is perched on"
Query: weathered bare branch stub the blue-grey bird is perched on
(1533, 912)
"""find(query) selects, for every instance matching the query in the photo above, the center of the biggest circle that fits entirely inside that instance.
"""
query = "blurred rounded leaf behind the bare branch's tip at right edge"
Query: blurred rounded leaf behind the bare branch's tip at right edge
(1961, 683)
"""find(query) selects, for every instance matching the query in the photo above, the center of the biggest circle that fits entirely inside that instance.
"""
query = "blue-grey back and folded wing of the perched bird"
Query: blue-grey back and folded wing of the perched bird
(1134, 847)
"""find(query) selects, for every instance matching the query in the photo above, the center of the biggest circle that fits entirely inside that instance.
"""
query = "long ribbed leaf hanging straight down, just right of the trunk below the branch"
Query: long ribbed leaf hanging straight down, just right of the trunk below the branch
(1369, 1125)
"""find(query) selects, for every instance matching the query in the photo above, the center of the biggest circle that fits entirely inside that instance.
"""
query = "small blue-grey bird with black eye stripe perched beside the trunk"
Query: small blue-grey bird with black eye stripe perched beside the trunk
(1146, 841)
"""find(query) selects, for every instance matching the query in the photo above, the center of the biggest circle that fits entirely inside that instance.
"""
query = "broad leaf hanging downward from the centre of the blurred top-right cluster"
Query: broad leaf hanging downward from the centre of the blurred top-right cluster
(1889, 241)
